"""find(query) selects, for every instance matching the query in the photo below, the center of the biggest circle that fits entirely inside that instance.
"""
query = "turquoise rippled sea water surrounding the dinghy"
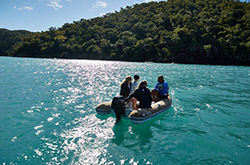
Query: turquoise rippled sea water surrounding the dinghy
(48, 114)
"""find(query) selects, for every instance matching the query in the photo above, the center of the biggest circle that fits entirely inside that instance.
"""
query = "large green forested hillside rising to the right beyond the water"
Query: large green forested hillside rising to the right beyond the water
(181, 31)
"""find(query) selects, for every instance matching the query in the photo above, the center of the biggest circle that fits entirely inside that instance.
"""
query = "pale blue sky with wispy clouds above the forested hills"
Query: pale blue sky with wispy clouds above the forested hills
(40, 15)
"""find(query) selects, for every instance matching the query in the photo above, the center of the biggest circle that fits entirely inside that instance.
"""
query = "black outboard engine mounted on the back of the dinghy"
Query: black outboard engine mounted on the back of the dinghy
(118, 106)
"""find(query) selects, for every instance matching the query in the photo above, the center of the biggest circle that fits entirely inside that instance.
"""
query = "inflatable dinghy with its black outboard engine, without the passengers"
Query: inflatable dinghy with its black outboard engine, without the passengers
(118, 107)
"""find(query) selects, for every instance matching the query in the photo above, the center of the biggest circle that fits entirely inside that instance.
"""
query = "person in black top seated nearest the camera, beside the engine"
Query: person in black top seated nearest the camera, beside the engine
(141, 94)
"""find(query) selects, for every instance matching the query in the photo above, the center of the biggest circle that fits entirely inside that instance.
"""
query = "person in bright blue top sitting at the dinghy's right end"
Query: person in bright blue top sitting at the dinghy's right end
(162, 88)
